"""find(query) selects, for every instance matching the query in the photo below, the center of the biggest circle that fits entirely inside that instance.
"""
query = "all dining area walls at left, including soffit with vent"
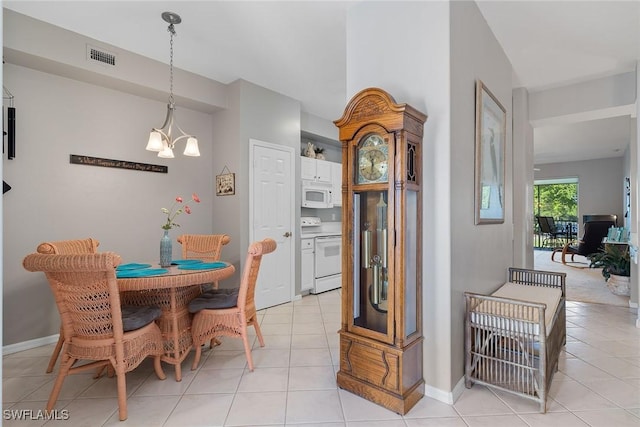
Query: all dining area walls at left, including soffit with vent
(66, 106)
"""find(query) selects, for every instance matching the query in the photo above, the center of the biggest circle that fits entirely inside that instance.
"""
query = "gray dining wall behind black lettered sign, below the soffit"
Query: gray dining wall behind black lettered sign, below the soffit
(52, 199)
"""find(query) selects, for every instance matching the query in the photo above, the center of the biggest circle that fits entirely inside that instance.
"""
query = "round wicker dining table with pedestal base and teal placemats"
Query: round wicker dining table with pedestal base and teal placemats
(172, 292)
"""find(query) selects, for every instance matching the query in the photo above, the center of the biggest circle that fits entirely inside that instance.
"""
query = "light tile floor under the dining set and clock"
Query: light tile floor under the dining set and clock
(598, 383)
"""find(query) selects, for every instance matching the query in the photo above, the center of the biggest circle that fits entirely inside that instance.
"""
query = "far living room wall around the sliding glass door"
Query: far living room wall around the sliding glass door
(600, 184)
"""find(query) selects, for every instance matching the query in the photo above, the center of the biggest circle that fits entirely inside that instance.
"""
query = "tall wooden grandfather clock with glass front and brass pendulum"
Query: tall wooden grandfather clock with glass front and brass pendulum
(381, 332)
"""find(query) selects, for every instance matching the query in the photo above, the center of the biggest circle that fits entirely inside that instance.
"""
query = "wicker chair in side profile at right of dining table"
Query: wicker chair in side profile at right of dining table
(228, 312)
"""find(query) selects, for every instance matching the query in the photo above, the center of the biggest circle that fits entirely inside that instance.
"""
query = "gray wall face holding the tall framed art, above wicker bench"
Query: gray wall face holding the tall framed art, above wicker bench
(480, 253)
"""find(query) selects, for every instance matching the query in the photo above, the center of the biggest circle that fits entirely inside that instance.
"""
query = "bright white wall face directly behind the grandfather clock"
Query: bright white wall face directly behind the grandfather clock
(411, 62)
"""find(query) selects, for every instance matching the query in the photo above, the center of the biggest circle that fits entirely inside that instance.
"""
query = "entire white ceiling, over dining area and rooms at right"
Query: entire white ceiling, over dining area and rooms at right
(298, 48)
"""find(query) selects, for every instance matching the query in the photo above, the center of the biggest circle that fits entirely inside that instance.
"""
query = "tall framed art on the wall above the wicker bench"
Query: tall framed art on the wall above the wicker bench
(491, 121)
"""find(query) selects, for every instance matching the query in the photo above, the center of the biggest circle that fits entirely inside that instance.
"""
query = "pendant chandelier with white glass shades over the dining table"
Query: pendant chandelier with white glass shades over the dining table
(161, 139)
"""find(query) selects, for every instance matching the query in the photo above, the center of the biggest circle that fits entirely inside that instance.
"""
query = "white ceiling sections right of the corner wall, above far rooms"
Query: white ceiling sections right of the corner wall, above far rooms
(556, 43)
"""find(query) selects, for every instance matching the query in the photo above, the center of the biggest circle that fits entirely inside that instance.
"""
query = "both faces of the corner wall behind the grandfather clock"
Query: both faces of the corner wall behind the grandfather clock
(429, 57)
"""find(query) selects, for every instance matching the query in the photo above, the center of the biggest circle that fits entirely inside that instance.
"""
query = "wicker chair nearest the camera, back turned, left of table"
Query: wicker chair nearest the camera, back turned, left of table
(96, 329)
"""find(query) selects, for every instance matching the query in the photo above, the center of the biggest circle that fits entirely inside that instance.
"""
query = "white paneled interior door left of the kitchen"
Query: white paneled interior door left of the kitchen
(272, 216)
